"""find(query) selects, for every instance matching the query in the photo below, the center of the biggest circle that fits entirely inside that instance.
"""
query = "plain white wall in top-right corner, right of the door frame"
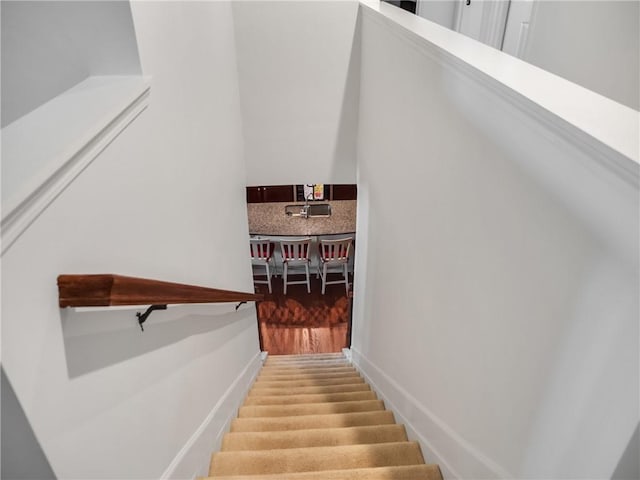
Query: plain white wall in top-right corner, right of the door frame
(592, 43)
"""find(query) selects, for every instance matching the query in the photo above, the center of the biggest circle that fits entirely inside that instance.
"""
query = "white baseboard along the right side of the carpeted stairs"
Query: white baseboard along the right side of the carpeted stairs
(456, 457)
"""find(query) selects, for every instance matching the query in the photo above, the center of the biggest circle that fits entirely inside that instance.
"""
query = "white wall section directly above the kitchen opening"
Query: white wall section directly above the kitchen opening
(298, 84)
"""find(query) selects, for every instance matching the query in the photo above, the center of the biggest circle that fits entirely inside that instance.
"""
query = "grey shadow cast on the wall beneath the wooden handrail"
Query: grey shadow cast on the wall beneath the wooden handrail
(98, 339)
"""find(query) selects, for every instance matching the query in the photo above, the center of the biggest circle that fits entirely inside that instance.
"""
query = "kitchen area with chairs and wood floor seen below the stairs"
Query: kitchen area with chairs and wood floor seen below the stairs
(311, 313)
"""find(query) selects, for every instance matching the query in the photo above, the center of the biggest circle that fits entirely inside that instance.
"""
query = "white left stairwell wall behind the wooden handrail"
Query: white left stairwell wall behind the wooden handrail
(165, 200)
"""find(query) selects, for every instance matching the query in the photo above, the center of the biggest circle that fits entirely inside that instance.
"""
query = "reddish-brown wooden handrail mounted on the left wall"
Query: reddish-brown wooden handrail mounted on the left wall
(103, 290)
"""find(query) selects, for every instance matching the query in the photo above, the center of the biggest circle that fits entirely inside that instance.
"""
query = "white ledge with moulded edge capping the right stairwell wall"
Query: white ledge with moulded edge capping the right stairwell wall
(613, 154)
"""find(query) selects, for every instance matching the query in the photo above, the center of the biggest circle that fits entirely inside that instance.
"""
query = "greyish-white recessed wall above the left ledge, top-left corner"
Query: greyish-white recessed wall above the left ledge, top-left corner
(47, 47)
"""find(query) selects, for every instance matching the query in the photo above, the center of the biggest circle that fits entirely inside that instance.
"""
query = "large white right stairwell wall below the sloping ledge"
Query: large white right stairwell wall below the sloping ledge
(496, 294)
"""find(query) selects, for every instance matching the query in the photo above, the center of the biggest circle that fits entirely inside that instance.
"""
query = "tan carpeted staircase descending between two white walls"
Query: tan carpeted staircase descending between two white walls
(312, 417)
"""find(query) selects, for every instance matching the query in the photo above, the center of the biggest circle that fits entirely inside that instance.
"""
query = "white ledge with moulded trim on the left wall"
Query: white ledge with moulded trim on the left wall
(64, 162)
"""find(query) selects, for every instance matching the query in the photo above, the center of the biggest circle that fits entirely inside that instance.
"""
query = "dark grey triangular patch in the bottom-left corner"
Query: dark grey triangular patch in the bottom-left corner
(22, 456)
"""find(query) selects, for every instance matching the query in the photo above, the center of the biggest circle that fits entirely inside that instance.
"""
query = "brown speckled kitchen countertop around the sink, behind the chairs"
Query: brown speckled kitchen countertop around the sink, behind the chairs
(270, 219)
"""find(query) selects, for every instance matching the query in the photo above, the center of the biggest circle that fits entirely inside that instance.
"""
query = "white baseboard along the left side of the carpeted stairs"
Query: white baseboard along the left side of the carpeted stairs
(193, 459)
